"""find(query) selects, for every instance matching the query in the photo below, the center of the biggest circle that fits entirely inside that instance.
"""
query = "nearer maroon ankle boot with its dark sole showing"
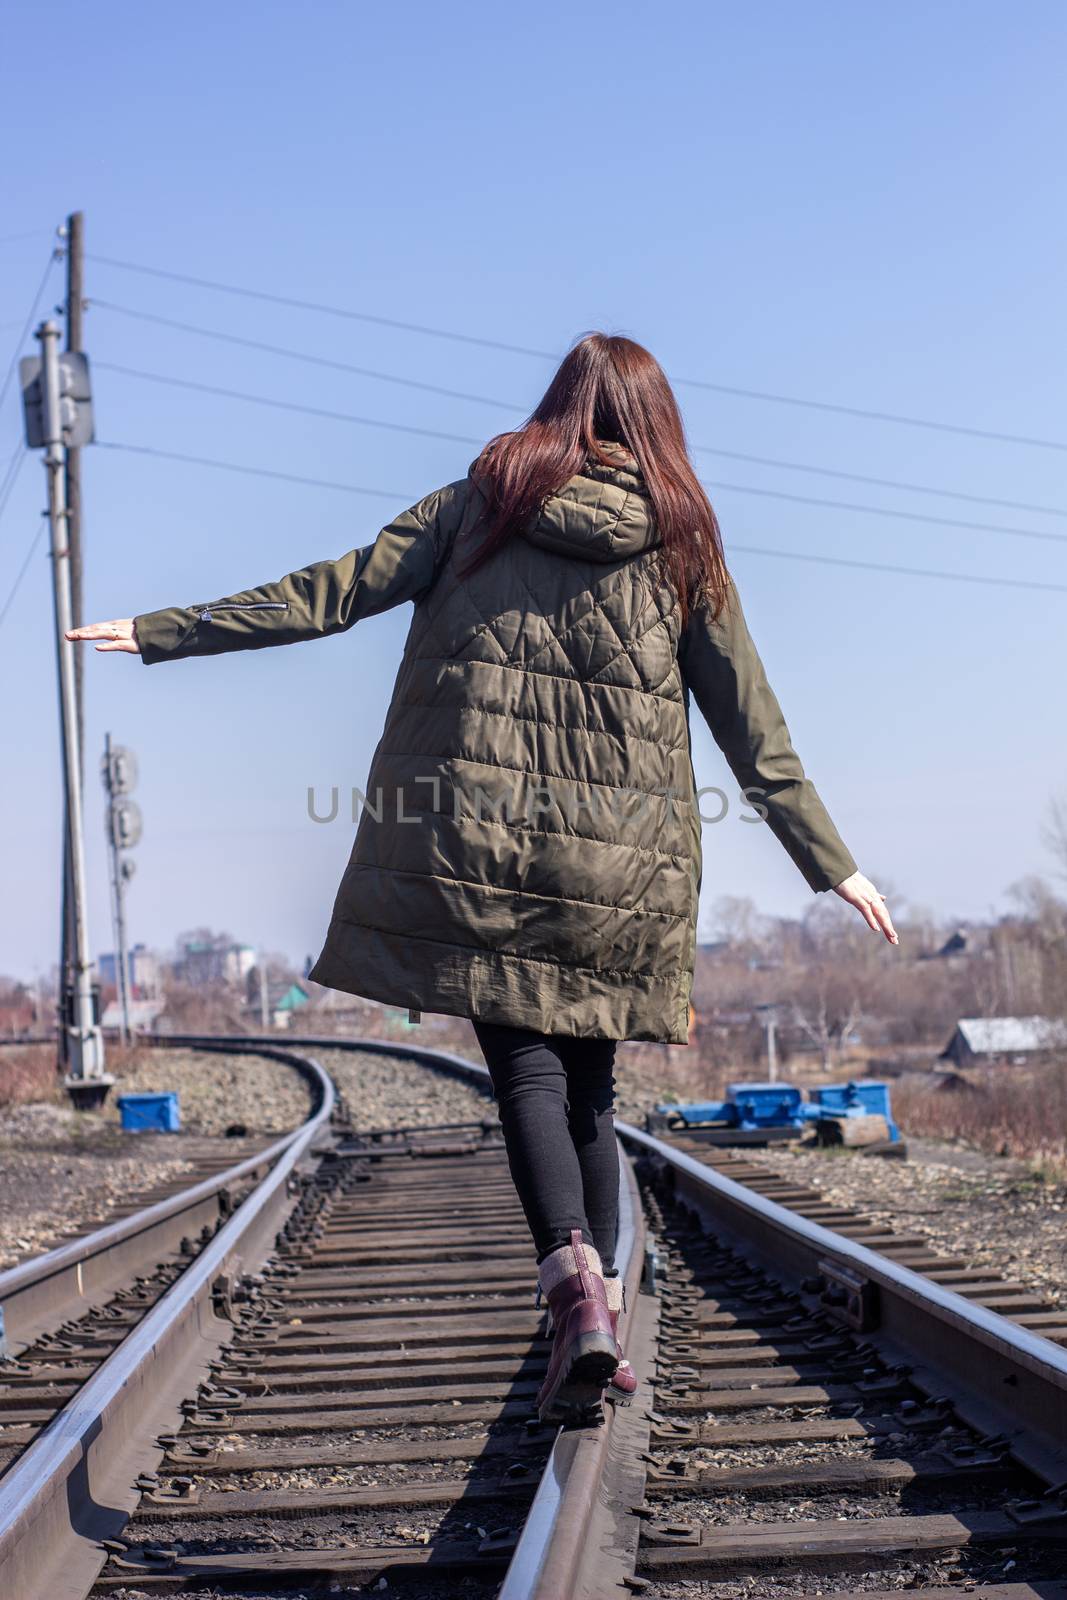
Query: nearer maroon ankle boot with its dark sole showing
(585, 1351)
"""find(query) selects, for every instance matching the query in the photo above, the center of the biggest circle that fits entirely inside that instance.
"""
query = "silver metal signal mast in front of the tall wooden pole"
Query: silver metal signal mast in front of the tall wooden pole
(58, 412)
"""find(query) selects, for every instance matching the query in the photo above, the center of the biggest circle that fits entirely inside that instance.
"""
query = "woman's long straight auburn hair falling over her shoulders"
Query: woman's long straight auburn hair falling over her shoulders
(607, 390)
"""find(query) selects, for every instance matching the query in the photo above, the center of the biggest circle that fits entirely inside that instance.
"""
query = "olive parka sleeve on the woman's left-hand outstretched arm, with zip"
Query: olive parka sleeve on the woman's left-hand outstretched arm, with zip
(316, 601)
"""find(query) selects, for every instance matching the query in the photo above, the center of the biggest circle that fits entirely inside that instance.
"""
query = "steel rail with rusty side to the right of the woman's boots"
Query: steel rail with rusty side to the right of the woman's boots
(999, 1375)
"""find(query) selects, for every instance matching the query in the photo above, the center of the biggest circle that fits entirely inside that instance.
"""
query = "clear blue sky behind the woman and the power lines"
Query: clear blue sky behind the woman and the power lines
(844, 204)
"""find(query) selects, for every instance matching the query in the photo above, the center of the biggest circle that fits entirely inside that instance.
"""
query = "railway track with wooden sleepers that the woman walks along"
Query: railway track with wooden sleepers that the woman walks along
(337, 1396)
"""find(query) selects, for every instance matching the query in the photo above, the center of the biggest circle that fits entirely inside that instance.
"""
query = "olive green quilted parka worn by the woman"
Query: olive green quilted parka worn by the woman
(530, 850)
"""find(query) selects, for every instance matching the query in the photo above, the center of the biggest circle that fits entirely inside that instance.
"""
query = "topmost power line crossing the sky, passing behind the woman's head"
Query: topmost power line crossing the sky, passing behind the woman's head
(519, 350)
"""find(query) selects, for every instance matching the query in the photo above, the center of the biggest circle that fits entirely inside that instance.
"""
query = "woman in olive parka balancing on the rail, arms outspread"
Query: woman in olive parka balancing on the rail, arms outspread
(537, 862)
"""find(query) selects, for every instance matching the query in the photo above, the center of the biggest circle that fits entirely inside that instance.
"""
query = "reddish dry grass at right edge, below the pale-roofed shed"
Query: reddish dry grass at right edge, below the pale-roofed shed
(1010, 1111)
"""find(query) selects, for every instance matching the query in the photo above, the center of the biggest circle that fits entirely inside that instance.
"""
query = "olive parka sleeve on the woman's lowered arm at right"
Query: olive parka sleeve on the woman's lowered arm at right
(724, 671)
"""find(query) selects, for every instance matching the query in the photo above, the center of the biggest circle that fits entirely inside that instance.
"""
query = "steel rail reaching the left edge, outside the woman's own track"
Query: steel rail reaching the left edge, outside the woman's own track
(38, 1297)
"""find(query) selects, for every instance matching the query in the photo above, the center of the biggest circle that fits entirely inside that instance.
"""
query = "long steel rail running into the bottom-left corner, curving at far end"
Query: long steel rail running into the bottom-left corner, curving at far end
(74, 1484)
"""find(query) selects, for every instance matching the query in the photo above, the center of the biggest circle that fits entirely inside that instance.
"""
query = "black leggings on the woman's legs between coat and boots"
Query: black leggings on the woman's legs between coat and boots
(556, 1098)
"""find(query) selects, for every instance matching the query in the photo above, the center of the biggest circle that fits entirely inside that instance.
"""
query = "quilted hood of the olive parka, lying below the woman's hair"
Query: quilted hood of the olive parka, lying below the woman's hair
(602, 514)
